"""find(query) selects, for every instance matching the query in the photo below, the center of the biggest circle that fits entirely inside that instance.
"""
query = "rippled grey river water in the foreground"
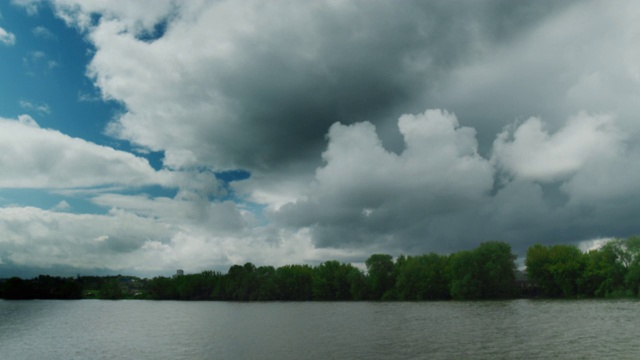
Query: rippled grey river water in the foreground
(521, 329)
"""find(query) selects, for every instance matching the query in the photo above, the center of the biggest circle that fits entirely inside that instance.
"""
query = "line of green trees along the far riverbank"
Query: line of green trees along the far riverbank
(487, 272)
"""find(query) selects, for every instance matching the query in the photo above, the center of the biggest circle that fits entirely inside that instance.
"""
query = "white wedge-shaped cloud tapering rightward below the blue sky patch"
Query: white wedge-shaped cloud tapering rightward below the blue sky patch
(33, 157)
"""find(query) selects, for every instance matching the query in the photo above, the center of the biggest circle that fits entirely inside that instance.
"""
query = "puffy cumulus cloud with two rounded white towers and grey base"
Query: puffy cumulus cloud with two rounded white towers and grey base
(365, 194)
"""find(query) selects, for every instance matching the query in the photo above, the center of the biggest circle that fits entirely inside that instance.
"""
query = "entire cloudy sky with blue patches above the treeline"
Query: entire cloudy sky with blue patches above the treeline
(146, 136)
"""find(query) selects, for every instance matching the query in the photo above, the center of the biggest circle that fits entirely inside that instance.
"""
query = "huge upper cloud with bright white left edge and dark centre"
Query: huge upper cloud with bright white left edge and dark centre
(263, 90)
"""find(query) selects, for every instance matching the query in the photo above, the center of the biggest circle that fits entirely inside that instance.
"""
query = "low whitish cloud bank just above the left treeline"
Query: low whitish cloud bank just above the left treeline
(123, 242)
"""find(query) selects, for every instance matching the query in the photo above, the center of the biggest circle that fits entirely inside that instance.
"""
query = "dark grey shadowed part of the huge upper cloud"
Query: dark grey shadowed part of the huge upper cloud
(364, 61)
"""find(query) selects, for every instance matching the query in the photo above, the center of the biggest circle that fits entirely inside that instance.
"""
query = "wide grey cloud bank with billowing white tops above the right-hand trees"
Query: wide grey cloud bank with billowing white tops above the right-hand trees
(440, 196)
